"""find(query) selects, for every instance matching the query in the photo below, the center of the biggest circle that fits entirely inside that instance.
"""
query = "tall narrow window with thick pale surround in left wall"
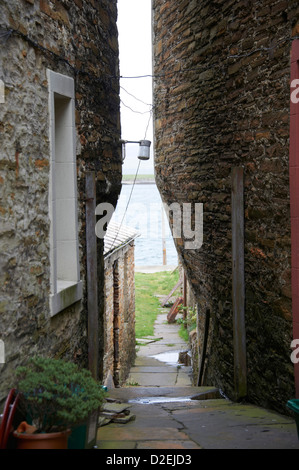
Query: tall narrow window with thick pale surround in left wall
(66, 287)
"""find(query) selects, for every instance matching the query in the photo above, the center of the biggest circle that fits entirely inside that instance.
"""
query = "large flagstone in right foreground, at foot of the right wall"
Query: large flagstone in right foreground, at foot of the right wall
(235, 426)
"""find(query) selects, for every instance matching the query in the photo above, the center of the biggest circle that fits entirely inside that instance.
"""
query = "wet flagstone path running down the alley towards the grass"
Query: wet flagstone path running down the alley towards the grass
(168, 416)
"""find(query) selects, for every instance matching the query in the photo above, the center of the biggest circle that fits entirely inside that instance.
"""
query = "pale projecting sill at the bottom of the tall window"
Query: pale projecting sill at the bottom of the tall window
(67, 294)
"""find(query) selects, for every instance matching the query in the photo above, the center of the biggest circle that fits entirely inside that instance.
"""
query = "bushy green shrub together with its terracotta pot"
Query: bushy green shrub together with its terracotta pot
(55, 396)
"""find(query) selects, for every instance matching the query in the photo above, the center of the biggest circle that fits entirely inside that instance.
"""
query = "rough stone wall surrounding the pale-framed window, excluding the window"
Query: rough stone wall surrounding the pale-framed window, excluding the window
(77, 39)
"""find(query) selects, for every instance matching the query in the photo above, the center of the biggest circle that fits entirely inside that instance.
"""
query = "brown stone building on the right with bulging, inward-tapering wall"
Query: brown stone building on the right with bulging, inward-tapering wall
(222, 72)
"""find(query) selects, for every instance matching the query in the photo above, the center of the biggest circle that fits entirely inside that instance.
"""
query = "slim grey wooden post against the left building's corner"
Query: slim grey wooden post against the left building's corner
(91, 263)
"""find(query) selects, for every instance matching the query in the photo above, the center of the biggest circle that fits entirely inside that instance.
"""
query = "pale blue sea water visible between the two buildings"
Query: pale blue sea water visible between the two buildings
(144, 212)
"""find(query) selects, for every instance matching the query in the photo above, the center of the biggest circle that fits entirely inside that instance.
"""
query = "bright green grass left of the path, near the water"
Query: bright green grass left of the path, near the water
(147, 304)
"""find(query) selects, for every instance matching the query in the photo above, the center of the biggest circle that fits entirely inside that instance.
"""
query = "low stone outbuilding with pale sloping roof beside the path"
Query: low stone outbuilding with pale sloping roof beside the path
(119, 313)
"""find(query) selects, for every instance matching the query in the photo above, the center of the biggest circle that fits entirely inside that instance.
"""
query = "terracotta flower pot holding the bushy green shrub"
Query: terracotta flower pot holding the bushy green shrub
(54, 440)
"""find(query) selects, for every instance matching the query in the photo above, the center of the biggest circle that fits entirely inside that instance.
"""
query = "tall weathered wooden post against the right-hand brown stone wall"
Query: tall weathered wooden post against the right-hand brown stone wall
(238, 283)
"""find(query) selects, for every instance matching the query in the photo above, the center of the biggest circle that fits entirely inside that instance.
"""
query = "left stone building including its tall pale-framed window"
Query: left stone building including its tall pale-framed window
(59, 121)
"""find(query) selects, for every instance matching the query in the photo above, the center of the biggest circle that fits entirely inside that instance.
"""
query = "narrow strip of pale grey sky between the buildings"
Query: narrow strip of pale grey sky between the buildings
(134, 26)
